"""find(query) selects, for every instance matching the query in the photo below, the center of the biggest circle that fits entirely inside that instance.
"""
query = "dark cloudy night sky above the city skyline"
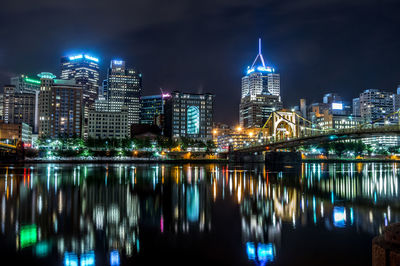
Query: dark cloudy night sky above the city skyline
(317, 46)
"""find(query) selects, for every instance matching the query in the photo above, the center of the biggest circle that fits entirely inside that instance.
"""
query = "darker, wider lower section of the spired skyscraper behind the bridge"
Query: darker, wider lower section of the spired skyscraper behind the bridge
(254, 113)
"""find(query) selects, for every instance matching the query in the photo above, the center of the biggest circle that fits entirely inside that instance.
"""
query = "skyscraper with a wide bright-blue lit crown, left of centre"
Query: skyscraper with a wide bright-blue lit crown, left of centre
(85, 70)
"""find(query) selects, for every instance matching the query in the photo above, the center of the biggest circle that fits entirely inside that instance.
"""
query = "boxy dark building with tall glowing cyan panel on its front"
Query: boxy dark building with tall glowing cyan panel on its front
(189, 115)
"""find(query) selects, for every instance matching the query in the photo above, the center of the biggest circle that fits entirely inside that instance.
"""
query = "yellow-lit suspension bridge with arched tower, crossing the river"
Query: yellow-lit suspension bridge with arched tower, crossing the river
(285, 129)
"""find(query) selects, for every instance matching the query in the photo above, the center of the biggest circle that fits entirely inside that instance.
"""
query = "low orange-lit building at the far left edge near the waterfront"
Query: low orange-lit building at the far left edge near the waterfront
(13, 133)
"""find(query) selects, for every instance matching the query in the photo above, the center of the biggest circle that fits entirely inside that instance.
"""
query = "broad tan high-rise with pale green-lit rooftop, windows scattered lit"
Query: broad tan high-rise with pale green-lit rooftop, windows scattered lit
(60, 107)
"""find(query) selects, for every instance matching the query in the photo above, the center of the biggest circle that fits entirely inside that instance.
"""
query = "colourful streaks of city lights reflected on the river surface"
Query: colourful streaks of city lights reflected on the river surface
(91, 213)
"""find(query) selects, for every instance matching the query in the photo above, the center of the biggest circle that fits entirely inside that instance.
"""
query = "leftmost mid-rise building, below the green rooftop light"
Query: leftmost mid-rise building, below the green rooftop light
(20, 107)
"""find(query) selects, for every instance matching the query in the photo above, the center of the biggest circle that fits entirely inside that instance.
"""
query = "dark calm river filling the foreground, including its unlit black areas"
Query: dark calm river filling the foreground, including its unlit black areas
(123, 214)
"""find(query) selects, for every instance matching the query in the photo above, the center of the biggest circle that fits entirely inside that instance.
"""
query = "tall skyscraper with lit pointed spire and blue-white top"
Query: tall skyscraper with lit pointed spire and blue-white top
(260, 93)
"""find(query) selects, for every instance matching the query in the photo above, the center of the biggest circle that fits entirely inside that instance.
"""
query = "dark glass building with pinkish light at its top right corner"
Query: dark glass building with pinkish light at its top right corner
(152, 109)
